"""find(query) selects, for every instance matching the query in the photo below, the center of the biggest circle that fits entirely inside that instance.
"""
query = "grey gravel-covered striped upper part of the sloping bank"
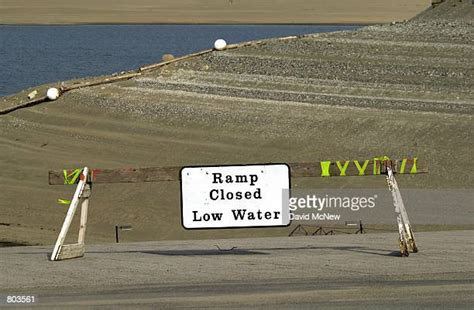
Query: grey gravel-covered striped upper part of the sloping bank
(427, 58)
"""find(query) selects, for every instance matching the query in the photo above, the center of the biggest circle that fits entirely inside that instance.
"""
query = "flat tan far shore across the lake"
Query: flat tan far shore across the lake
(208, 12)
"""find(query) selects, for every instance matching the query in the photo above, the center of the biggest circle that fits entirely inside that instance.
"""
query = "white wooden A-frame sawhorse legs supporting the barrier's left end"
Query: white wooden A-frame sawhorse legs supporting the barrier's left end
(64, 251)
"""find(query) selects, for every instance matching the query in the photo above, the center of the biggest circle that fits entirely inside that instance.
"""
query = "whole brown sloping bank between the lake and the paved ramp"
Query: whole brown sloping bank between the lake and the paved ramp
(397, 90)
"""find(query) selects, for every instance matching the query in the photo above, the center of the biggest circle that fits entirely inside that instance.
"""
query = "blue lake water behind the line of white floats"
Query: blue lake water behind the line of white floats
(34, 55)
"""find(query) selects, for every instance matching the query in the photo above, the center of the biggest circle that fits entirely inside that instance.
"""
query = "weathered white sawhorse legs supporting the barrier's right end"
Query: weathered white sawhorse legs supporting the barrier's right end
(406, 236)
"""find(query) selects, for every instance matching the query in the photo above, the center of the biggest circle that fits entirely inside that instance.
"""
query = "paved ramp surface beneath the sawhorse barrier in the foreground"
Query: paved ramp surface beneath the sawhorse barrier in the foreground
(342, 271)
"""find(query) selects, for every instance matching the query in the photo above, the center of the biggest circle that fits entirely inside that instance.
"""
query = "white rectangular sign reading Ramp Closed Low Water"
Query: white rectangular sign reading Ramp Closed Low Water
(235, 196)
